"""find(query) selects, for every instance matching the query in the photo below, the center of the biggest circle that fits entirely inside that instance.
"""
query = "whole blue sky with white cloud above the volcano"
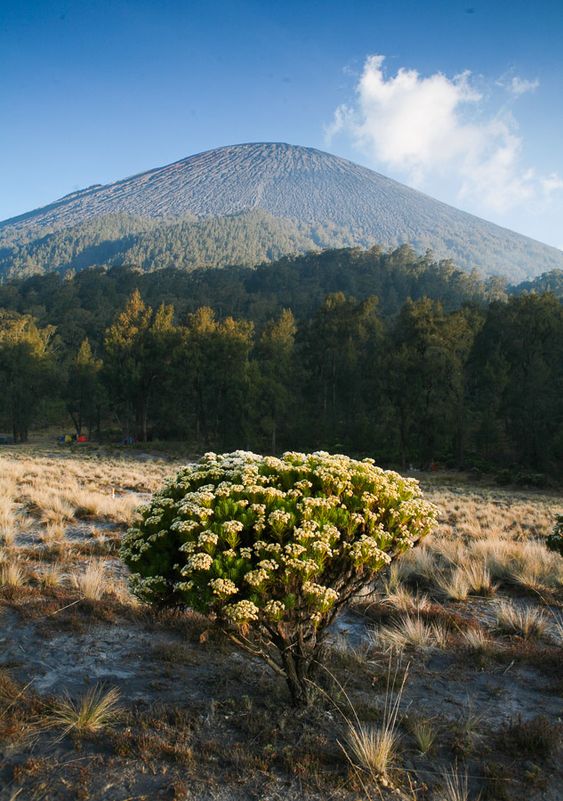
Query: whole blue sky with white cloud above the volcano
(463, 100)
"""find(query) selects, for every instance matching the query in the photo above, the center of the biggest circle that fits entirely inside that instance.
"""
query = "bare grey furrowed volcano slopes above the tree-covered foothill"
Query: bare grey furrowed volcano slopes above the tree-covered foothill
(303, 185)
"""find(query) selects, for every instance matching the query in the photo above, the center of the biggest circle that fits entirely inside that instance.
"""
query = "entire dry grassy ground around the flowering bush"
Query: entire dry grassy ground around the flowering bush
(443, 683)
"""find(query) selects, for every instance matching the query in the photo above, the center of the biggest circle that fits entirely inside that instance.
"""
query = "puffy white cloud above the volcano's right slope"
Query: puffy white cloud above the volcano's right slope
(433, 129)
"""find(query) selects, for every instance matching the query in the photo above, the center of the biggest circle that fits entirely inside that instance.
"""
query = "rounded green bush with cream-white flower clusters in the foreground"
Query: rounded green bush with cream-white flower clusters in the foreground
(273, 548)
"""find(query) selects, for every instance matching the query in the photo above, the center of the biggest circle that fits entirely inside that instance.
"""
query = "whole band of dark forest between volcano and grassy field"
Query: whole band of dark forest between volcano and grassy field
(388, 354)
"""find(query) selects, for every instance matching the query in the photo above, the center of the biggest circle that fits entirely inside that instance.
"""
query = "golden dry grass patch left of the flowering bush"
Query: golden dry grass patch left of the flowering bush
(74, 508)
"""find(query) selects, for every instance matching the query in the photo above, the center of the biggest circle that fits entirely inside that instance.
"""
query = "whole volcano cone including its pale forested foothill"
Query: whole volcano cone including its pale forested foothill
(247, 204)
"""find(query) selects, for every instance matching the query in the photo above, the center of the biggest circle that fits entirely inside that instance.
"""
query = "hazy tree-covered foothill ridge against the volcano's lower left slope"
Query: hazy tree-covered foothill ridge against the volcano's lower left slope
(187, 244)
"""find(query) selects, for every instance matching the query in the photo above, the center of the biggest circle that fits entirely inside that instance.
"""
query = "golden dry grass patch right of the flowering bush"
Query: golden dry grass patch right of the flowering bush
(484, 540)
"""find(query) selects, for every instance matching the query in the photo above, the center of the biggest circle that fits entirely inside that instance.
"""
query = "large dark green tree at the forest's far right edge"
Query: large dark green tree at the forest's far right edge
(516, 380)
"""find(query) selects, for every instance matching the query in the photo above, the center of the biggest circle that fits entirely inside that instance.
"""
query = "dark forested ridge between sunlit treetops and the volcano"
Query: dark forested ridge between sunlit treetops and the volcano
(84, 304)
